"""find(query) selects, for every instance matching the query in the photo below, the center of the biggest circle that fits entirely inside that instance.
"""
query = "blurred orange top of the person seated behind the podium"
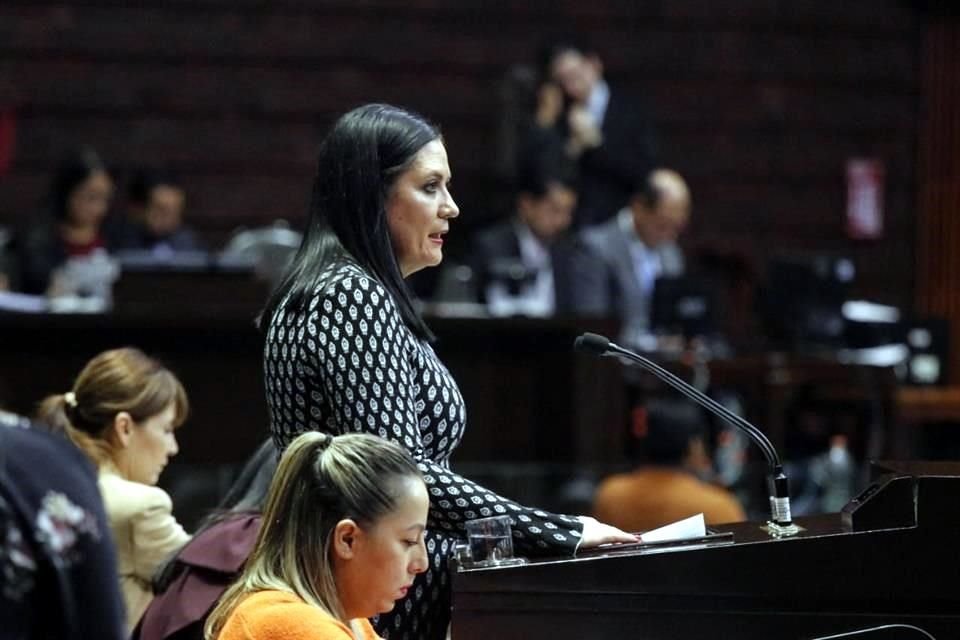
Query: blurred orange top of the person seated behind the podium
(652, 497)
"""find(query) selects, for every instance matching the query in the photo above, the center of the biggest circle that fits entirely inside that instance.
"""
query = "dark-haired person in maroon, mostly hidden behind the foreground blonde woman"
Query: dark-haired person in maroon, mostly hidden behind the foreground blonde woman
(189, 584)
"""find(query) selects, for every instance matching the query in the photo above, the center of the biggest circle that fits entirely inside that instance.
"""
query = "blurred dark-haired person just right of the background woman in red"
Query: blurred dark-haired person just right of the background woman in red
(155, 204)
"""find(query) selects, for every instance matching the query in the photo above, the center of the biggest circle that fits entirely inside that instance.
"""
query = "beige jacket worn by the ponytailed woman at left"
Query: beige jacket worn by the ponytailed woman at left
(145, 533)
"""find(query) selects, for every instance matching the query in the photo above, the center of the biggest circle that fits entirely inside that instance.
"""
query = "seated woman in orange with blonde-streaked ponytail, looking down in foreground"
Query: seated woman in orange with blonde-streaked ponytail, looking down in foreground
(341, 540)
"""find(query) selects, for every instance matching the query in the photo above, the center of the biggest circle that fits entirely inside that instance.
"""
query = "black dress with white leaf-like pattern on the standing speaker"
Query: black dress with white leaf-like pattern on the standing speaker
(346, 362)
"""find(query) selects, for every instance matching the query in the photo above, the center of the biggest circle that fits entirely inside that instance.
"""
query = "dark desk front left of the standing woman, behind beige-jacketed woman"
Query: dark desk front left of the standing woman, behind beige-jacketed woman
(217, 358)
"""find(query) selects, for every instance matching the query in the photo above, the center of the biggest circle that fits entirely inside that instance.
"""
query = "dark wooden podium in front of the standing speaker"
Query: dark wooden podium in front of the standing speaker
(890, 558)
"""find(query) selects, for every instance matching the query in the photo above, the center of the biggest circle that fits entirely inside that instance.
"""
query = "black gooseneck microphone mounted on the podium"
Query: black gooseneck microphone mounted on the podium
(778, 486)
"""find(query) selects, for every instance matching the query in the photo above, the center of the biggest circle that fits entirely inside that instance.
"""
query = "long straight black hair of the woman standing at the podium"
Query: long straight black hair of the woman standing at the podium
(357, 164)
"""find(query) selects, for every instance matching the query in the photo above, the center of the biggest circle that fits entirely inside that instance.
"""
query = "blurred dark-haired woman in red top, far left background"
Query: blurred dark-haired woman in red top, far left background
(72, 230)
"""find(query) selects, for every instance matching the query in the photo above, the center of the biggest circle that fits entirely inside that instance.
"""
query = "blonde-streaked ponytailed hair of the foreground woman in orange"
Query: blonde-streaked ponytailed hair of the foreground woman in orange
(321, 479)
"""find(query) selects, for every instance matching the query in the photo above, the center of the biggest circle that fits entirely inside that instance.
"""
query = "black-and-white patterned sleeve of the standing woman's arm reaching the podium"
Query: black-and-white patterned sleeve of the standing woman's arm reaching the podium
(368, 367)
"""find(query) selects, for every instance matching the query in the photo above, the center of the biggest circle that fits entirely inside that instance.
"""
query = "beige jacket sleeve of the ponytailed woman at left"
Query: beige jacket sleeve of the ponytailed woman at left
(156, 533)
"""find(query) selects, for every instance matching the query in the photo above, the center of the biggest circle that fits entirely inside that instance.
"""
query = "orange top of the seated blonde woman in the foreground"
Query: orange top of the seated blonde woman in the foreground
(276, 615)
